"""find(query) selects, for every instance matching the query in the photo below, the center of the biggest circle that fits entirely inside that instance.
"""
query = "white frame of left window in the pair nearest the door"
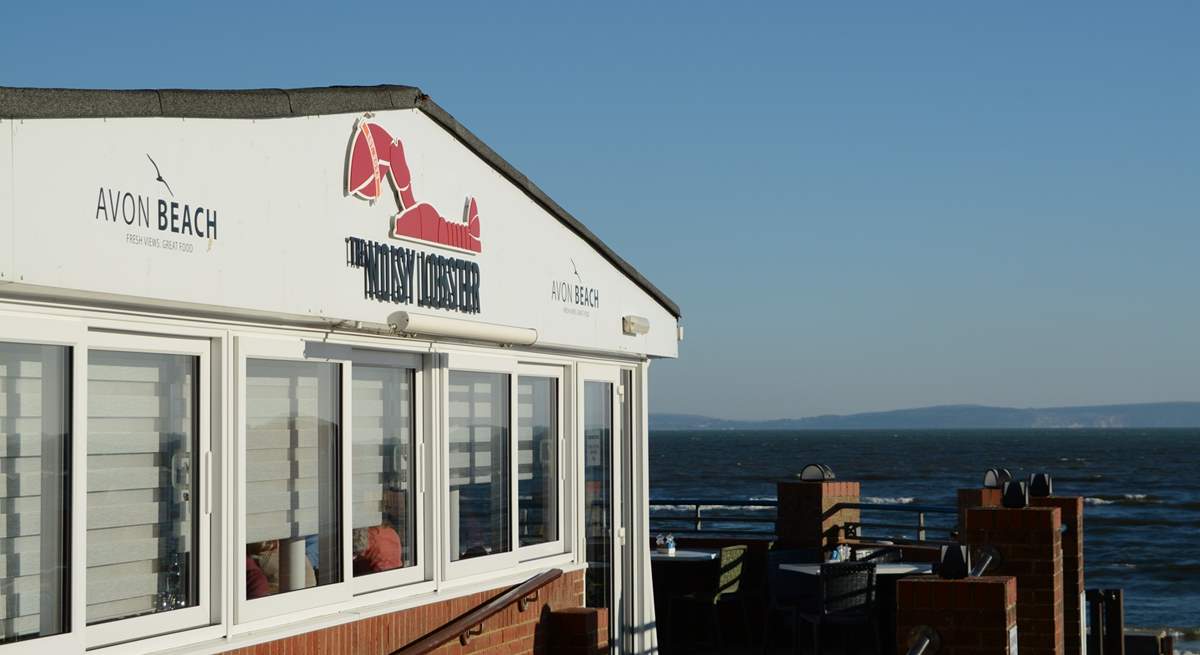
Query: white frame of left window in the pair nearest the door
(499, 563)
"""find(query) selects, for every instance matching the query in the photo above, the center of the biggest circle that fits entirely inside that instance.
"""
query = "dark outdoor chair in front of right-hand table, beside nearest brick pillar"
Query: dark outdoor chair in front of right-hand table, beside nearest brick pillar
(847, 598)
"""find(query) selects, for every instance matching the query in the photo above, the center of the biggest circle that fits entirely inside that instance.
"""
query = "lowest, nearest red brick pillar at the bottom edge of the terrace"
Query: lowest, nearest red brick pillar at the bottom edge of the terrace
(971, 616)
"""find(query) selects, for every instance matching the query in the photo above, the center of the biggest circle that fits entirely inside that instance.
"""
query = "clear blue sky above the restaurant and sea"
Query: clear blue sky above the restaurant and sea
(859, 208)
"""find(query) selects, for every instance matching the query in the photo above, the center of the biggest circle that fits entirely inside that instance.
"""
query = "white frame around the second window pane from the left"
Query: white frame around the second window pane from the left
(175, 621)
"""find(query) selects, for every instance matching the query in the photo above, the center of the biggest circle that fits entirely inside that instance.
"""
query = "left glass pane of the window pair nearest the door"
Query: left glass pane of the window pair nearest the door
(479, 465)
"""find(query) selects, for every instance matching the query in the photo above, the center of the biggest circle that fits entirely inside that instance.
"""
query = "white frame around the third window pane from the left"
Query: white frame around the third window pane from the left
(289, 350)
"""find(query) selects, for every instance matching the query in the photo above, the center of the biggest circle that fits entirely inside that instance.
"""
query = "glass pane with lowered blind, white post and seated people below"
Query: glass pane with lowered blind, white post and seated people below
(293, 436)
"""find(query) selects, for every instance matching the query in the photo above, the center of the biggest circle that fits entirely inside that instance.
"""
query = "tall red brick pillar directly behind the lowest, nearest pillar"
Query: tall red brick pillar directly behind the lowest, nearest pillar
(1030, 545)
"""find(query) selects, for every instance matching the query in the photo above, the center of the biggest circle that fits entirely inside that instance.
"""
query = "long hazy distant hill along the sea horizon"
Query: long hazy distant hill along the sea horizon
(962, 417)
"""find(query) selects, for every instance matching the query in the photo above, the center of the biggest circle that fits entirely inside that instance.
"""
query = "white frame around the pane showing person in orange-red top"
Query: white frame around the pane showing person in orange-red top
(422, 569)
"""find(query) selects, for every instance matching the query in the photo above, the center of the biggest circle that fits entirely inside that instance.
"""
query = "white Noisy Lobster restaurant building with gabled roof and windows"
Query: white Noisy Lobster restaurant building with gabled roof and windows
(277, 360)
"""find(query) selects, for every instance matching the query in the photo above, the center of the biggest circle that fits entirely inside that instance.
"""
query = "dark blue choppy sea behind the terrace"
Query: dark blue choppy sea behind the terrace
(1141, 488)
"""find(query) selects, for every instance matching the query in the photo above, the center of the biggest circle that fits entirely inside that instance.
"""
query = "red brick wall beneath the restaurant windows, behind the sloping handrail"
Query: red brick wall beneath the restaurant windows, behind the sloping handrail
(509, 633)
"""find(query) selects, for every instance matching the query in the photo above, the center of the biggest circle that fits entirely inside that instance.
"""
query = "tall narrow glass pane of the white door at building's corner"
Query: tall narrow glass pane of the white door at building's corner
(598, 491)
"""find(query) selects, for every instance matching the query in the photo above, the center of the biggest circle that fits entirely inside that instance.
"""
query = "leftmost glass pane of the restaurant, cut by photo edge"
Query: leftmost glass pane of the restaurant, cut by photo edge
(35, 418)
